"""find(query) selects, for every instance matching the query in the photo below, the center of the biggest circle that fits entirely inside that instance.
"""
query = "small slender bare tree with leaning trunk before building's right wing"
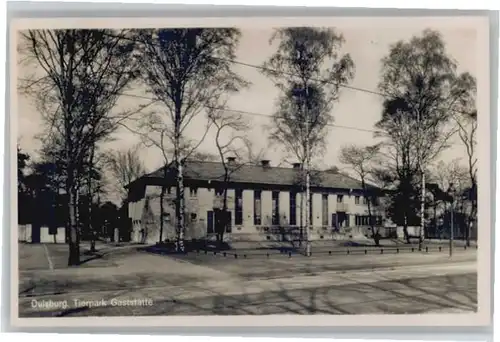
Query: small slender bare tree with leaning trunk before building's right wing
(360, 159)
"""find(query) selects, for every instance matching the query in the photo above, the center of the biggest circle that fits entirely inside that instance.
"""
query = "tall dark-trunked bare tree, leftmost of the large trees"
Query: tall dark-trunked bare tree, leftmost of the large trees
(84, 72)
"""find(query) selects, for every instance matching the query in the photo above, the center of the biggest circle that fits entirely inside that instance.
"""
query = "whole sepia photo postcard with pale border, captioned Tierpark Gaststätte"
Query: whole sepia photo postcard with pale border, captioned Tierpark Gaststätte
(329, 166)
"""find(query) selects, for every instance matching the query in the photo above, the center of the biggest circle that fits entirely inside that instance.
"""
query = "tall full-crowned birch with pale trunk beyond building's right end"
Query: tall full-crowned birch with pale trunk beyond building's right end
(422, 88)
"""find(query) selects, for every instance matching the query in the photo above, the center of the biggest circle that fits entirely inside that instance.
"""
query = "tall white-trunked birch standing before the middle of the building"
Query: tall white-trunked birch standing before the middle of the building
(309, 71)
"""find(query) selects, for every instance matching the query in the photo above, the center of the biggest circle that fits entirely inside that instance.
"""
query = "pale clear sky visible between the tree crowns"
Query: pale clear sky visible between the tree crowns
(355, 112)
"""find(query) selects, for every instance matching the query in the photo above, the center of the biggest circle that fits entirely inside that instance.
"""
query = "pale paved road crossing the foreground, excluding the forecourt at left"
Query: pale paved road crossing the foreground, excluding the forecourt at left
(405, 289)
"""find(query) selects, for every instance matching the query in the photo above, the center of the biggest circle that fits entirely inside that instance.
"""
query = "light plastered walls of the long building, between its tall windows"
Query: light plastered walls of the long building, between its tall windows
(146, 214)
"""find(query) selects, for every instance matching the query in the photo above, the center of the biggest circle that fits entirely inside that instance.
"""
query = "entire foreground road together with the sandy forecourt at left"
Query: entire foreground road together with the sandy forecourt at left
(145, 284)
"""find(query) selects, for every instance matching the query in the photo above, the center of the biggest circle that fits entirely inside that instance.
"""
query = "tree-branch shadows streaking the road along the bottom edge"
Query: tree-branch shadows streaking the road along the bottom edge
(409, 296)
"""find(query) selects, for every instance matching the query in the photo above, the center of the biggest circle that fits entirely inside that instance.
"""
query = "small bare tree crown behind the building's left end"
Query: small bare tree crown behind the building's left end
(125, 166)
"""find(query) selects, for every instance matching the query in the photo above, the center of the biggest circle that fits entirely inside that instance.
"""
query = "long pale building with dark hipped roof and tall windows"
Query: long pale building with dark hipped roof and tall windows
(260, 198)
